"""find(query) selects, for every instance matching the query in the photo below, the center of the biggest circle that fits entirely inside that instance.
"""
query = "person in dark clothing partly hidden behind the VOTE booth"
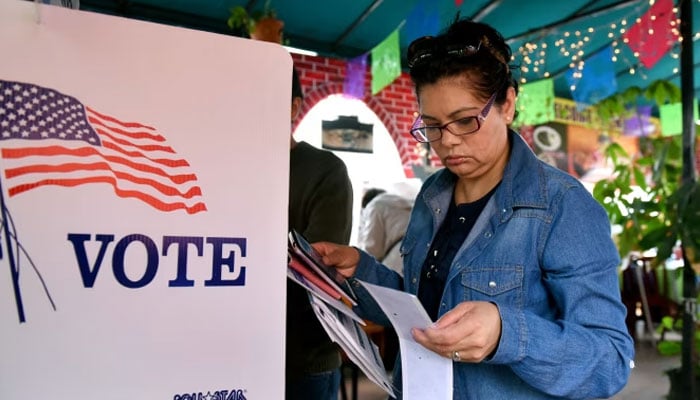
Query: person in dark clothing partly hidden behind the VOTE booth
(320, 208)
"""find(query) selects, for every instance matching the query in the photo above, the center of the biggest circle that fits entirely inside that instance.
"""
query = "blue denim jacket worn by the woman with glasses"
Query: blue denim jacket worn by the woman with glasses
(541, 251)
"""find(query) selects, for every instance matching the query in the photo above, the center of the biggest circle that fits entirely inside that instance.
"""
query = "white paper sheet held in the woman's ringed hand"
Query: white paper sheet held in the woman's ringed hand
(425, 374)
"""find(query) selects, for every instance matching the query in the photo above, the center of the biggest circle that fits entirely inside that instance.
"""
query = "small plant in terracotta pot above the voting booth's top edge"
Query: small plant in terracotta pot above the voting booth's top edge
(258, 25)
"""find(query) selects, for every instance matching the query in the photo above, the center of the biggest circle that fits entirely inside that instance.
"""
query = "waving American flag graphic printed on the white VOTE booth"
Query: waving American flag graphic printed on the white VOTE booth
(66, 143)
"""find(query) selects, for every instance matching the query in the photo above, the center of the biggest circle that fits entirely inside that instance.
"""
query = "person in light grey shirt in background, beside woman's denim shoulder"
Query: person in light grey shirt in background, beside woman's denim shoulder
(383, 225)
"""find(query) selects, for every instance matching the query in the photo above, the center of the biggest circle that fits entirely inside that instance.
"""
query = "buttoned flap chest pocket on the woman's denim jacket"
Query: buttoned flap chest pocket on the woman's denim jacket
(502, 284)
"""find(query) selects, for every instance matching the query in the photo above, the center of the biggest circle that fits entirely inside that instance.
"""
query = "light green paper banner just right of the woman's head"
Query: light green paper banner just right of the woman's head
(536, 103)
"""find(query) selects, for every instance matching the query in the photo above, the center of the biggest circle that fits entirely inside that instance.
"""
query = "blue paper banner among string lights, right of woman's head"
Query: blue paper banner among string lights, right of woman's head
(592, 80)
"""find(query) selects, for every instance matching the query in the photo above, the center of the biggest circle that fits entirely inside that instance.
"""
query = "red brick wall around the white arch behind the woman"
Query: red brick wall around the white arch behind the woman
(395, 105)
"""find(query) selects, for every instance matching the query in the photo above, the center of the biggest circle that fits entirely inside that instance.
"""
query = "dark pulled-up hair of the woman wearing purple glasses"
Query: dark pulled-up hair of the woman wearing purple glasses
(466, 48)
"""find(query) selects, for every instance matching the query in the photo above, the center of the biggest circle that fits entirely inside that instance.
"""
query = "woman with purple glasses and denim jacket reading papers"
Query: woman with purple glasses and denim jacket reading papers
(511, 257)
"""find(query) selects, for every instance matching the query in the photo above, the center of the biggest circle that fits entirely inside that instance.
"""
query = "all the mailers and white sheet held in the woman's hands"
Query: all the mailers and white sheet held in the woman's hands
(425, 374)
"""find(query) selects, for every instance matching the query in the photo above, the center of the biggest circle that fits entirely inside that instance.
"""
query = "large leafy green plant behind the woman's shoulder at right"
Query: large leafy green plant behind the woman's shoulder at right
(663, 210)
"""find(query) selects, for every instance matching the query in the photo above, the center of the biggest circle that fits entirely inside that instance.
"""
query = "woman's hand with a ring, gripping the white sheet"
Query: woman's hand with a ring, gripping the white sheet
(469, 332)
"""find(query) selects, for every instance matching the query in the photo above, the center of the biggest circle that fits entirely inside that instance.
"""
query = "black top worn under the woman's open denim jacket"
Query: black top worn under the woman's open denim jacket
(453, 232)
